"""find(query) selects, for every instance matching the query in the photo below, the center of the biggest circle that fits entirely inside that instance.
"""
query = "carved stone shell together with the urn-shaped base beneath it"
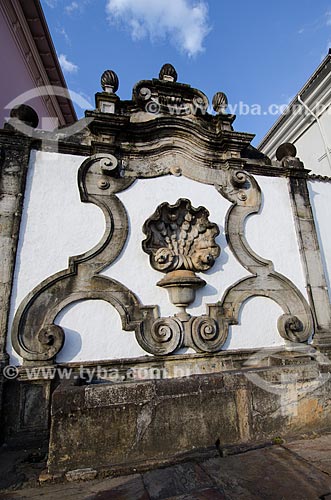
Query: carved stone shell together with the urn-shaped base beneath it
(180, 242)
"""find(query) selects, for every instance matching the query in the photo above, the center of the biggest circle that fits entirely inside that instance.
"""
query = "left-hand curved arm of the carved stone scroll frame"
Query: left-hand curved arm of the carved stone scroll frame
(34, 335)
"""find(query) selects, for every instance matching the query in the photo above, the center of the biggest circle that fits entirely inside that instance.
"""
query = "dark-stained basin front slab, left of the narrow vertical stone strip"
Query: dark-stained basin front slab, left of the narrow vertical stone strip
(153, 426)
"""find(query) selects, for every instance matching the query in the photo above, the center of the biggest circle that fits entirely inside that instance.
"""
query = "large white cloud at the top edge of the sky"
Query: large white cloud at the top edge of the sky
(184, 22)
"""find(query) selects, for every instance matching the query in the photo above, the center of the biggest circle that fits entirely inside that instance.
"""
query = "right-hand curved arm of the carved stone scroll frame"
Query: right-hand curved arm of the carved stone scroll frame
(296, 324)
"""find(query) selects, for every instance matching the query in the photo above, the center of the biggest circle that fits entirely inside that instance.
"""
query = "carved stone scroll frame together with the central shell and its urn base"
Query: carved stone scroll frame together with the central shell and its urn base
(180, 241)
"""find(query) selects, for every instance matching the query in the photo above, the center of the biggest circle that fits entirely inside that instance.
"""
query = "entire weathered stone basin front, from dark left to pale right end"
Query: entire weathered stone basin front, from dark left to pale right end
(151, 422)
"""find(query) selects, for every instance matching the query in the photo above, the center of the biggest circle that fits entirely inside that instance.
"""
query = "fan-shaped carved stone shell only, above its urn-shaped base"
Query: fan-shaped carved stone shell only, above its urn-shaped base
(181, 237)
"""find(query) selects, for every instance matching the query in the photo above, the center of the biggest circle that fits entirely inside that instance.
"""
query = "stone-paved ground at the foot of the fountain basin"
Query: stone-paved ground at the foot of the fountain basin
(298, 470)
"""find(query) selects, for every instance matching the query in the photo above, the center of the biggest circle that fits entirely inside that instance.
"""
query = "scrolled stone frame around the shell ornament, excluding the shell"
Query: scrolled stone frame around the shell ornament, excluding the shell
(37, 339)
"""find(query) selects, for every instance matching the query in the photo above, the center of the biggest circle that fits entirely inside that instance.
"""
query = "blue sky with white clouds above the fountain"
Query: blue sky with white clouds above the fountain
(258, 53)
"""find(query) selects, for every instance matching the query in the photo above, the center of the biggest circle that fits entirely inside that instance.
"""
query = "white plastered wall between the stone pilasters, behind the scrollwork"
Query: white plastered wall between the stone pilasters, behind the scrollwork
(56, 225)
